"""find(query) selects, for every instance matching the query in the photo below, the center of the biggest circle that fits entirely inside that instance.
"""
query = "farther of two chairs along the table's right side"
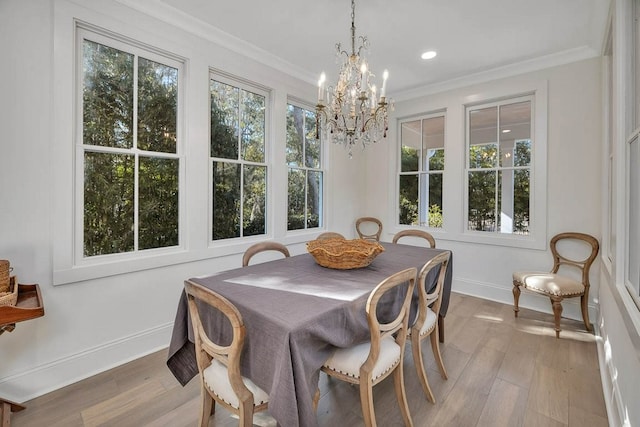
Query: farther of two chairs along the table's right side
(426, 325)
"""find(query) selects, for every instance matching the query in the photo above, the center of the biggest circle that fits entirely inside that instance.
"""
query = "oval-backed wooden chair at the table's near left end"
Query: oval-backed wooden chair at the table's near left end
(219, 365)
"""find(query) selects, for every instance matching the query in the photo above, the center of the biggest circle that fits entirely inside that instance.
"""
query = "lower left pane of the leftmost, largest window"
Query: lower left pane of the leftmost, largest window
(108, 203)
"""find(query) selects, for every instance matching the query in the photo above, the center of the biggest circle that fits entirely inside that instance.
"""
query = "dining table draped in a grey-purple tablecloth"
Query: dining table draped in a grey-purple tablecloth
(296, 313)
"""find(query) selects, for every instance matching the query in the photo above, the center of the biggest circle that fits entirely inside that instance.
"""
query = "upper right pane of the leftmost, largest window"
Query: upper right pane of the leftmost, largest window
(157, 106)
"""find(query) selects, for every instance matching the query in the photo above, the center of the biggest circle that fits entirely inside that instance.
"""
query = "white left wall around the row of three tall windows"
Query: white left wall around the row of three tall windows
(92, 325)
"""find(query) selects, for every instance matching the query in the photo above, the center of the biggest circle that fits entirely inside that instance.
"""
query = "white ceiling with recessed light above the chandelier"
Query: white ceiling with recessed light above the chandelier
(470, 36)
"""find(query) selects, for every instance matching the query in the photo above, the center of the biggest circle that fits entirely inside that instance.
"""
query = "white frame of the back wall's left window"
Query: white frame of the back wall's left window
(421, 171)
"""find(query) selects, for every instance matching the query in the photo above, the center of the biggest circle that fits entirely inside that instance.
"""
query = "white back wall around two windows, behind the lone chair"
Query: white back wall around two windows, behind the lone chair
(573, 190)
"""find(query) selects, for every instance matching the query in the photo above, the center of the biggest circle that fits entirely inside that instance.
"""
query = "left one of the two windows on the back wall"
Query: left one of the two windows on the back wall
(421, 171)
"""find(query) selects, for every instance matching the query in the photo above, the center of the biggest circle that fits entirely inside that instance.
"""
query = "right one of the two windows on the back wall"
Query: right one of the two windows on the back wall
(499, 147)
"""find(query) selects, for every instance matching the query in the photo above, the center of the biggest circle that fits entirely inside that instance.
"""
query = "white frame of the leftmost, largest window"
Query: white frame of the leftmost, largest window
(88, 32)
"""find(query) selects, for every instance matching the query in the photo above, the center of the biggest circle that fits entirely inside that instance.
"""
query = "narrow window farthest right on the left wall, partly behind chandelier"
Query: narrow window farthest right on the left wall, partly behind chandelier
(305, 177)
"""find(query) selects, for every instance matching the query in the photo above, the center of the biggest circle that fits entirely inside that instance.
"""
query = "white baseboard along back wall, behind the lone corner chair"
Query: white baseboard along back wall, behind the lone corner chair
(570, 306)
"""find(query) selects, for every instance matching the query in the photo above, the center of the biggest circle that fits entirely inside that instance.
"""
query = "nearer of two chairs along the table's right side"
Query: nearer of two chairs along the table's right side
(368, 363)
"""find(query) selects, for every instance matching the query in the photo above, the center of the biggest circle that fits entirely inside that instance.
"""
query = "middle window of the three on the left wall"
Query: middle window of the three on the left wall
(238, 163)
